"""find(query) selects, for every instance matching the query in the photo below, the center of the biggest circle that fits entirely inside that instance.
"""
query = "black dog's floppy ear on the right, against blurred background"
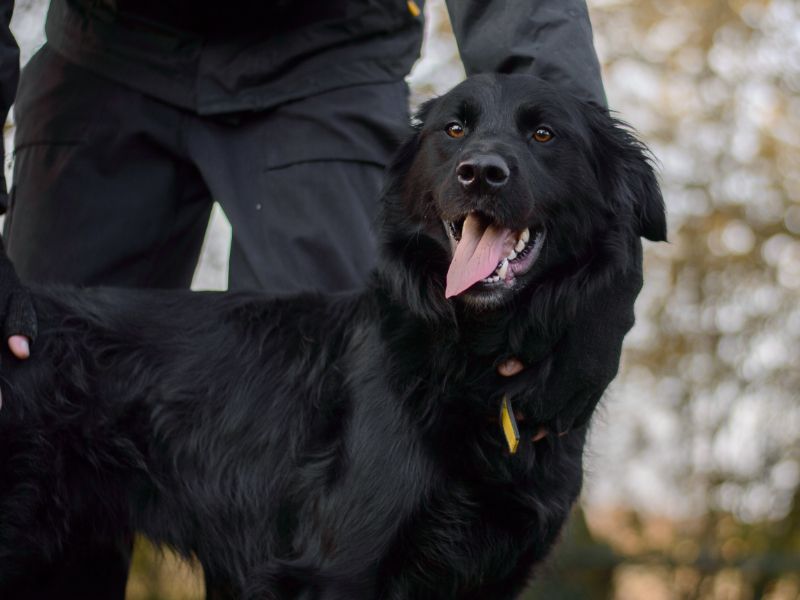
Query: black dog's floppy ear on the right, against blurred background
(625, 166)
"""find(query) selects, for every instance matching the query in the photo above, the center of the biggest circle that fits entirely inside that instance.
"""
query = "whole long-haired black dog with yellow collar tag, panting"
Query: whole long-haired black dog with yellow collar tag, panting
(353, 447)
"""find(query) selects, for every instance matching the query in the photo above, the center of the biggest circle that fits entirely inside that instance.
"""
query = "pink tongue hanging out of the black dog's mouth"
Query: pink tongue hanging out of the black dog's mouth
(477, 254)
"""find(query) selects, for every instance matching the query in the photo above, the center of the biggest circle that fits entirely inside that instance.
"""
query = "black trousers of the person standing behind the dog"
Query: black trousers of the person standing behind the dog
(113, 187)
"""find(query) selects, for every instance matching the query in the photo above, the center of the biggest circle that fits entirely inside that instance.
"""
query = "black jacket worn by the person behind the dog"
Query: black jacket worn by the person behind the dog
(246, 55)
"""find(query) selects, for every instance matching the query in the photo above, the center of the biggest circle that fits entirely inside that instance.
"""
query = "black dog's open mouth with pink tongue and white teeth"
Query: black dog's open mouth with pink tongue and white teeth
(487, 254)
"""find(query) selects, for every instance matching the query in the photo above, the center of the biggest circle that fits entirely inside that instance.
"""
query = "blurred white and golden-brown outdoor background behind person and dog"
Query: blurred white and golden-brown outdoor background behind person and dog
(693, 479)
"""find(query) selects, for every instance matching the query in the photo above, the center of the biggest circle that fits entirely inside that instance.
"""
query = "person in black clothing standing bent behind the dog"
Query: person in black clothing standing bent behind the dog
(137, 114)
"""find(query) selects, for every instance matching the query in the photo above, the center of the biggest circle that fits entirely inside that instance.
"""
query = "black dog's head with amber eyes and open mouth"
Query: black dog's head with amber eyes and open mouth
(507, 181)
